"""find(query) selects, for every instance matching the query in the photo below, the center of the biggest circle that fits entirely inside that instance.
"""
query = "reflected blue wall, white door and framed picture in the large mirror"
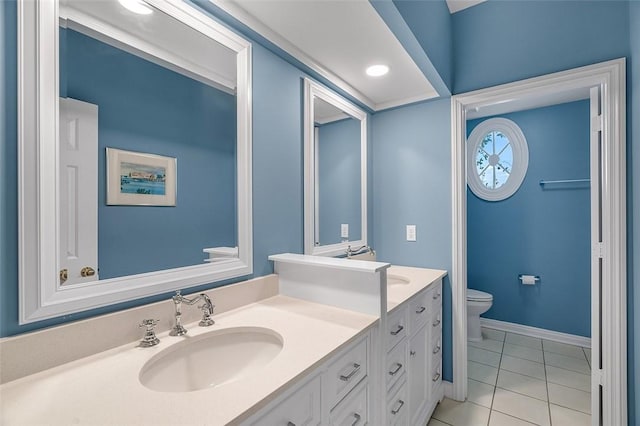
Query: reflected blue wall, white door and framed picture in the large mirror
(144, 108)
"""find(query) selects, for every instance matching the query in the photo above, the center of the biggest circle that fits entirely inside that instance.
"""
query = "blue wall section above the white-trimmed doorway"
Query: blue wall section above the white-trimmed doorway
(502, 41)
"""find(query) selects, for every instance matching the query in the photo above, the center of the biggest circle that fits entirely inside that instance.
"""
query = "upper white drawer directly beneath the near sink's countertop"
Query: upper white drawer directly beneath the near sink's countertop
(346, 371)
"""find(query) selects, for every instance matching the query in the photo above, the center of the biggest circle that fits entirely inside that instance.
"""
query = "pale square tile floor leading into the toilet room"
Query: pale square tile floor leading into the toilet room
(519, 380)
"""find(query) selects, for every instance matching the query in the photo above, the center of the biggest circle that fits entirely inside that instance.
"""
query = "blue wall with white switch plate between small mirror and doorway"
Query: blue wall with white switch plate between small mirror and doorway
(412, 185)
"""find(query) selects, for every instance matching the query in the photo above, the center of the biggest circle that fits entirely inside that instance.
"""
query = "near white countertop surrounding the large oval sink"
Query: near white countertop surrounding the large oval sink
(104, 388)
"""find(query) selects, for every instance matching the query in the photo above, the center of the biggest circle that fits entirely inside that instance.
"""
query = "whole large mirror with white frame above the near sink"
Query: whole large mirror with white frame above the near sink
(134, 152)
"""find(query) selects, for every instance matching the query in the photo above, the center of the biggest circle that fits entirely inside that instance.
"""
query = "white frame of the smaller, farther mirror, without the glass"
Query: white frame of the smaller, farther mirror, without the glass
(311, 90)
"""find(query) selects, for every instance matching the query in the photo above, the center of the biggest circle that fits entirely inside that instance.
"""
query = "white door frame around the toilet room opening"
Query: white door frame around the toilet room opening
(604, 85)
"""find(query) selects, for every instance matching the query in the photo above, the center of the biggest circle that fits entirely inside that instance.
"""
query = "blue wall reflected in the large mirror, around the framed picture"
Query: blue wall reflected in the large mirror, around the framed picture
(158, 111)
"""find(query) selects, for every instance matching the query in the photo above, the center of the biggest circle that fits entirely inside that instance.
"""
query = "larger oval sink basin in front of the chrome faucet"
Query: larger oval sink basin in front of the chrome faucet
(212, 359)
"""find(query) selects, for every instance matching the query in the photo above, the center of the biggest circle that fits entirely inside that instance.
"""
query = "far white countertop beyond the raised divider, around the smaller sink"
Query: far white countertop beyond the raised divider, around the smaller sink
(419, 279)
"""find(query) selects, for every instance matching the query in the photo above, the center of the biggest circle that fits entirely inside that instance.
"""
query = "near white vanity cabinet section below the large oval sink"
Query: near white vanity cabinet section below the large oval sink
(336, 393)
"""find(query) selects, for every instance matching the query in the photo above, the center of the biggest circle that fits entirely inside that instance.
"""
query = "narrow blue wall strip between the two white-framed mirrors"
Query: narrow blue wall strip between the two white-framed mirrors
(277, 159)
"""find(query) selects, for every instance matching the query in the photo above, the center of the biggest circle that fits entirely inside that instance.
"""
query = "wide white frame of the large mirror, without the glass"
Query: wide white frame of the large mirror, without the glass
(40, 294)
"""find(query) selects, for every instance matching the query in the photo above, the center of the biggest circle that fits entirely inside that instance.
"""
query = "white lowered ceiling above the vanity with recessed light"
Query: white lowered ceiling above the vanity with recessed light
(339, 39)
